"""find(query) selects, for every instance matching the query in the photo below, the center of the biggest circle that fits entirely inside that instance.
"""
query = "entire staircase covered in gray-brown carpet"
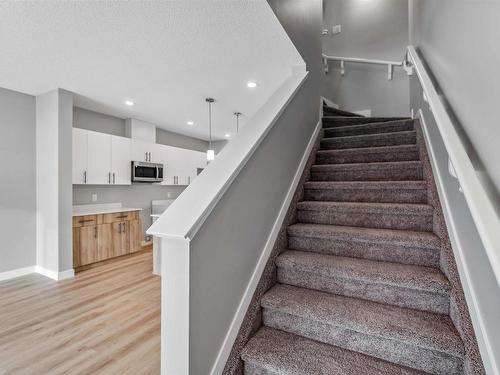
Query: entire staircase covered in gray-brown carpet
(359, 289)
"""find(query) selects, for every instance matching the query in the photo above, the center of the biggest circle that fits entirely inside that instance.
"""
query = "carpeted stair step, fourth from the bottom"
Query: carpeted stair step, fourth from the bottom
(399, 246)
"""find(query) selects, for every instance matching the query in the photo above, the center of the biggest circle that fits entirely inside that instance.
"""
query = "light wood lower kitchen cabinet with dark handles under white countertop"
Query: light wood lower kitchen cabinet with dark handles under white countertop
(100, 237)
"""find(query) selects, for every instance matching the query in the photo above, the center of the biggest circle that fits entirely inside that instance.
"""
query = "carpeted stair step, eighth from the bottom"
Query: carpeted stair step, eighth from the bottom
(368, 154)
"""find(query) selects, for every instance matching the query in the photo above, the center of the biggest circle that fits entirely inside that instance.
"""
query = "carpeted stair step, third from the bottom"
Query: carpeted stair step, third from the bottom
(416, 287)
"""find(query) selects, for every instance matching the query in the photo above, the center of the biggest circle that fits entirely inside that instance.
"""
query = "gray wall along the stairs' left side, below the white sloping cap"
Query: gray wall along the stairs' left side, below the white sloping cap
(225, 251)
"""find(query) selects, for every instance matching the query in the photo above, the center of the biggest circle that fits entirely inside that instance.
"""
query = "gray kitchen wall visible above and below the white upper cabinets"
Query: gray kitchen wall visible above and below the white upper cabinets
(136, 195)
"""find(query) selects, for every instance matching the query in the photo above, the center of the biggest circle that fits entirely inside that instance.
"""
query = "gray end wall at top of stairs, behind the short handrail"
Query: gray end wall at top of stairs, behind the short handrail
(370, 29)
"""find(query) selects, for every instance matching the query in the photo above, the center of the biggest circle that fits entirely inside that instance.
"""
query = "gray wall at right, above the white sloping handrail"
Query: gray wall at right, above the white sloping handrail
(459, 41)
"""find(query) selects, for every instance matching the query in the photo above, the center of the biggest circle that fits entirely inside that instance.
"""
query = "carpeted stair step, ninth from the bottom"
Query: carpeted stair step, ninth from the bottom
(369, 140)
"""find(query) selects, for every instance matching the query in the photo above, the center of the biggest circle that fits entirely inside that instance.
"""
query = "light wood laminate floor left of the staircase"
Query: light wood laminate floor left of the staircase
(104, 321)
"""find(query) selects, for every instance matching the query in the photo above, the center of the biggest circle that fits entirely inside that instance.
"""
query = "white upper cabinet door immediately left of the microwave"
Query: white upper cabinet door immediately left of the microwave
(121, 160)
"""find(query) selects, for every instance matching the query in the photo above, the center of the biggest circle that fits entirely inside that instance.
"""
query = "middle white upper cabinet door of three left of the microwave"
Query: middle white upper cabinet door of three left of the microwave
(99, 158)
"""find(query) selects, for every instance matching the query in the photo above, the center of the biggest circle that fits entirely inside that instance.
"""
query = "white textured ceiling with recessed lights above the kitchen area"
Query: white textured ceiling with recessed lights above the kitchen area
(167, 56)
